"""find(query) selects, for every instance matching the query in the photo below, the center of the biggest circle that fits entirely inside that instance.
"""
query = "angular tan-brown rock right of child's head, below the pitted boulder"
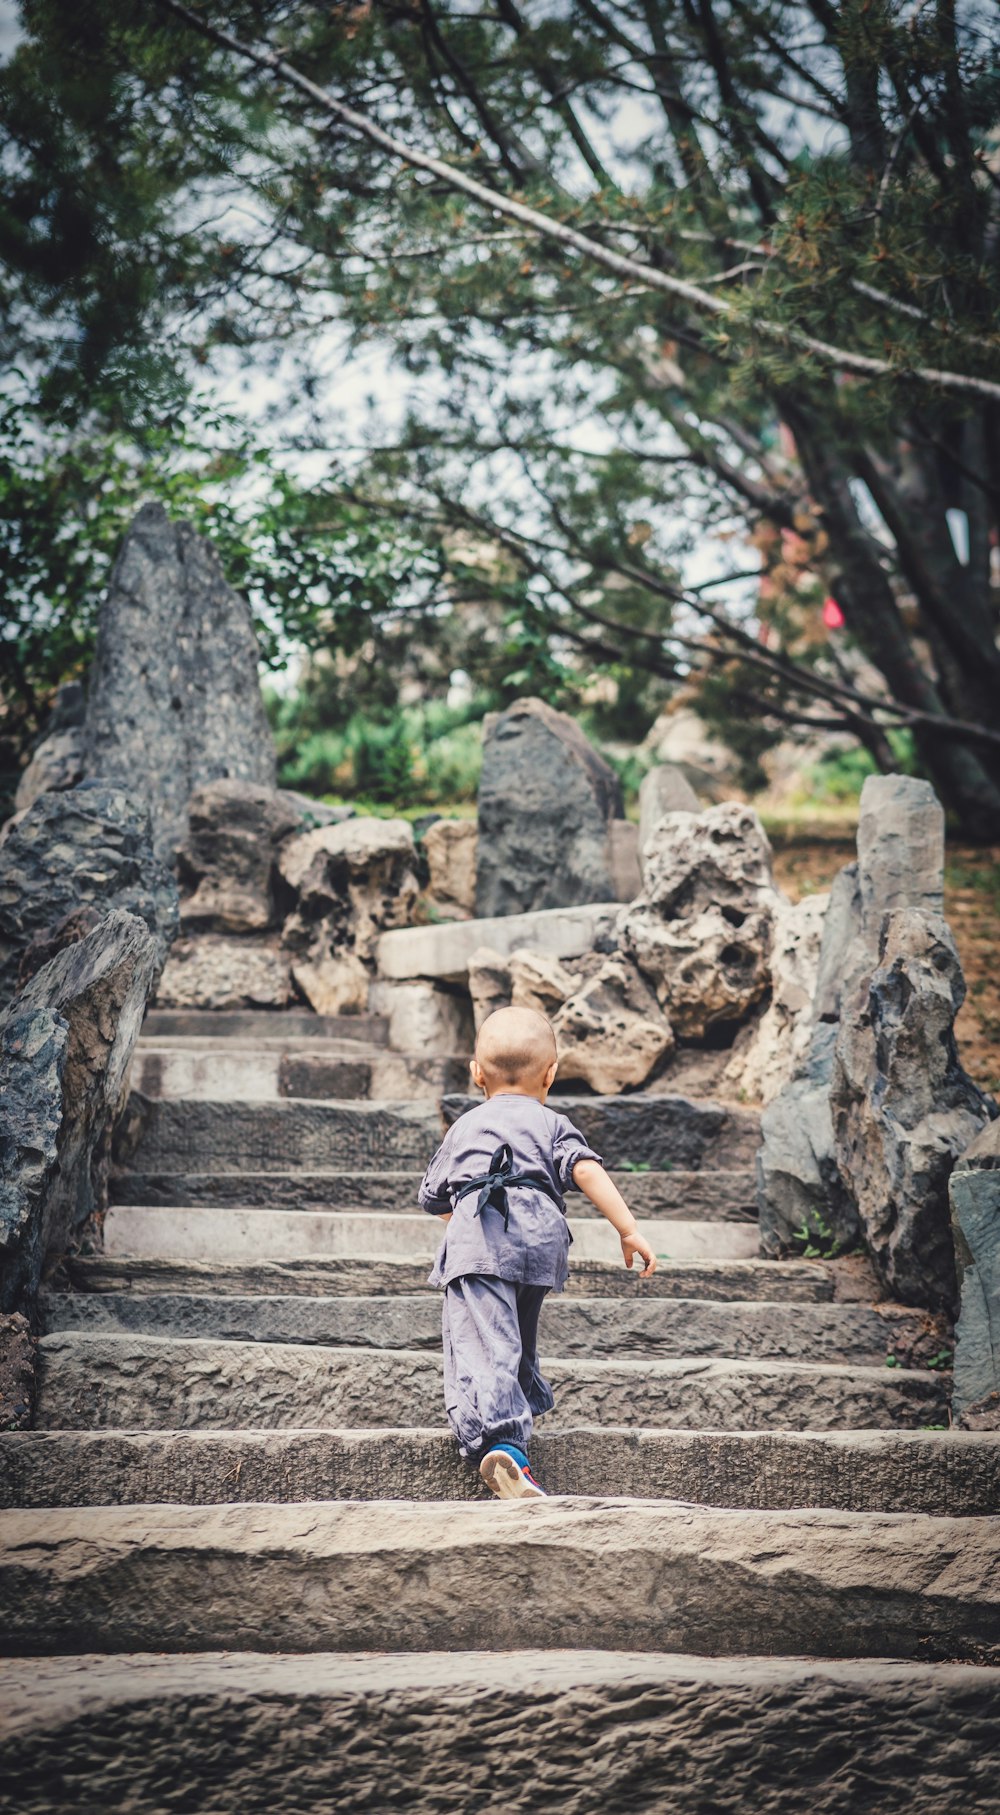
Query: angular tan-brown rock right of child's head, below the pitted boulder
(611, 1032)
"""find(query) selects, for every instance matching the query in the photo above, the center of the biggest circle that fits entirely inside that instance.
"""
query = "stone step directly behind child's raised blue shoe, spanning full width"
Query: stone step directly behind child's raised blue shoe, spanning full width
(948, 1473)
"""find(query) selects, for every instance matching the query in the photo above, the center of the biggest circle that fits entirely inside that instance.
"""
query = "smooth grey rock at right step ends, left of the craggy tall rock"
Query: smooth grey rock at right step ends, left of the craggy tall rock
(801, 1197)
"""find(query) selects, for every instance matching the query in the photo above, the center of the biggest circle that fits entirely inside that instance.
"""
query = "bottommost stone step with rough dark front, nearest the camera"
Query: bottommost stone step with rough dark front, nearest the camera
(451, 1732)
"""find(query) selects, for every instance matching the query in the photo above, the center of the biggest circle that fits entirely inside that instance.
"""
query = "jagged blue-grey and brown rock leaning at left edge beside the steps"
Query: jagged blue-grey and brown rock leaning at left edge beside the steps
(66, 1046)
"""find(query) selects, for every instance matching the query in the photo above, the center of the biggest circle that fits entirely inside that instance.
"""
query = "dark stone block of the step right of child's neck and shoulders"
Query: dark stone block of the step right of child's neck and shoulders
(658, 1132)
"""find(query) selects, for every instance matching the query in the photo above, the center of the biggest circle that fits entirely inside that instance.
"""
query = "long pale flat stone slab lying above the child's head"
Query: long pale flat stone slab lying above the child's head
(446, 952)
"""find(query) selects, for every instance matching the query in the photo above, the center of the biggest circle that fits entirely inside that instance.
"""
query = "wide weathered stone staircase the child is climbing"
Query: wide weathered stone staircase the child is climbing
(242, 1567)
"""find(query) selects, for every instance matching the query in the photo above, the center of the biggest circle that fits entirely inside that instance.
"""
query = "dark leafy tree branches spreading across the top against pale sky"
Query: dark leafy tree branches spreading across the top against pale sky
(649, 279)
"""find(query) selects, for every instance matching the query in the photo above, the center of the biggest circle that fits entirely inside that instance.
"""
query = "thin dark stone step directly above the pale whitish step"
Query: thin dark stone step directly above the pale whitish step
(714, 1195)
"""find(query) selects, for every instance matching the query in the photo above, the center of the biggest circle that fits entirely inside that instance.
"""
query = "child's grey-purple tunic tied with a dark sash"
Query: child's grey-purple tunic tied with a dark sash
(534, 1250)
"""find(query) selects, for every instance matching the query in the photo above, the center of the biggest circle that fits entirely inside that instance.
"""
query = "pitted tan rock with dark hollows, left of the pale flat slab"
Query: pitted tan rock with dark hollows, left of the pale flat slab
(351, 883)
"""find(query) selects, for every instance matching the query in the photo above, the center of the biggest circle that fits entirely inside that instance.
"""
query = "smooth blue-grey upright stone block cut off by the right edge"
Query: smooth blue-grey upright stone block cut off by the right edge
(975, 1226)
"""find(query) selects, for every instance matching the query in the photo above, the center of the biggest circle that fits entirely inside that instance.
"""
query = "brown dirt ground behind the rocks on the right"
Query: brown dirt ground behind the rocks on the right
(972, 905)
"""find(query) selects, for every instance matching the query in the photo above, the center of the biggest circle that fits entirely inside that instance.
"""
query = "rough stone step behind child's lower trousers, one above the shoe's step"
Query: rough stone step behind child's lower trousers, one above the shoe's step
(161, 1384)
